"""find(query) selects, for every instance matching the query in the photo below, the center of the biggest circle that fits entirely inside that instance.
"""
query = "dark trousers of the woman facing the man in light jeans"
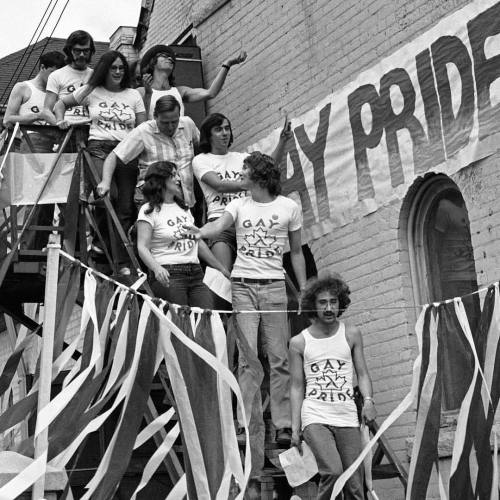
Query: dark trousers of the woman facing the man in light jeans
(186, 287)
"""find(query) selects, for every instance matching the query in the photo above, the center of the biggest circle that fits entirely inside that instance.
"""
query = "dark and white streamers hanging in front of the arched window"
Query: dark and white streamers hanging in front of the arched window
(443, 333)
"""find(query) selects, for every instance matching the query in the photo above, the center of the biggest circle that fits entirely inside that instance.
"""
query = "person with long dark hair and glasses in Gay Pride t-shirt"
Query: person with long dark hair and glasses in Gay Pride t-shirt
(114, 109)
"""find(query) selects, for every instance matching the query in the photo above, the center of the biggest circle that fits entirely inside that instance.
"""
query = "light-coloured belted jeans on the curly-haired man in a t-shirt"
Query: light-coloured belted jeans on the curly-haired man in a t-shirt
(275, 335)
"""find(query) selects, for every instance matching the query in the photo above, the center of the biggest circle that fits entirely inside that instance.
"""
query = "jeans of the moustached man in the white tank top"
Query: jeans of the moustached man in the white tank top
(335, 449)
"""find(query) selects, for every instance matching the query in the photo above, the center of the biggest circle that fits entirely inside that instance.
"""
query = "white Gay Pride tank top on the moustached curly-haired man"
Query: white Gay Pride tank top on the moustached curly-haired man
(328, 370)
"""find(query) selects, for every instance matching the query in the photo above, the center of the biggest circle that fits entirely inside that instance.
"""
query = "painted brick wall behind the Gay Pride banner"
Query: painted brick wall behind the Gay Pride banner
(299, 52)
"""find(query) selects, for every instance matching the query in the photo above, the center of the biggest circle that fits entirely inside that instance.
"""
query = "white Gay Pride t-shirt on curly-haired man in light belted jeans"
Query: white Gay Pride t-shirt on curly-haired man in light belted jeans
(261, 233)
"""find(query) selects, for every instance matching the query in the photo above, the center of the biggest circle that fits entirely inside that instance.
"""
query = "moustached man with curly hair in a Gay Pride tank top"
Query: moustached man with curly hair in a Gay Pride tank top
(323, 358)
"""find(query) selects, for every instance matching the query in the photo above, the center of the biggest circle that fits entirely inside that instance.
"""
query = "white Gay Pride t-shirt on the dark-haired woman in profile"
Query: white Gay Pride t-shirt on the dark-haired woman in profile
(169, 244)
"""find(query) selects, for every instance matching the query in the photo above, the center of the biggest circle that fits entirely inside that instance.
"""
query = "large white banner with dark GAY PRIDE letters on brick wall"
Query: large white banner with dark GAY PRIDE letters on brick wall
(431, 106)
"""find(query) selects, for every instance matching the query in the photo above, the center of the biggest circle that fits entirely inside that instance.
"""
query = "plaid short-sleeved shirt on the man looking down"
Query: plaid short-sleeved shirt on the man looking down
(147, 143)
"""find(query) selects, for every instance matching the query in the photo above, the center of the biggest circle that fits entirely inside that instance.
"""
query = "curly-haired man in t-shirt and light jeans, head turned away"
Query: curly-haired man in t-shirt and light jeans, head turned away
(265, 221)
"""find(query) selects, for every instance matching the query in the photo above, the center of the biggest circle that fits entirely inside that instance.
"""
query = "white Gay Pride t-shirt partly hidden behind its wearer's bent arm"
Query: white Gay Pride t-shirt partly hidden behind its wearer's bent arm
(228, 167)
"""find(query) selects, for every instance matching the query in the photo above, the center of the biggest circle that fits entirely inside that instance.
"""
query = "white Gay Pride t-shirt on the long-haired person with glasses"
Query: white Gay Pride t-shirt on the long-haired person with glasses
(112, 113)
